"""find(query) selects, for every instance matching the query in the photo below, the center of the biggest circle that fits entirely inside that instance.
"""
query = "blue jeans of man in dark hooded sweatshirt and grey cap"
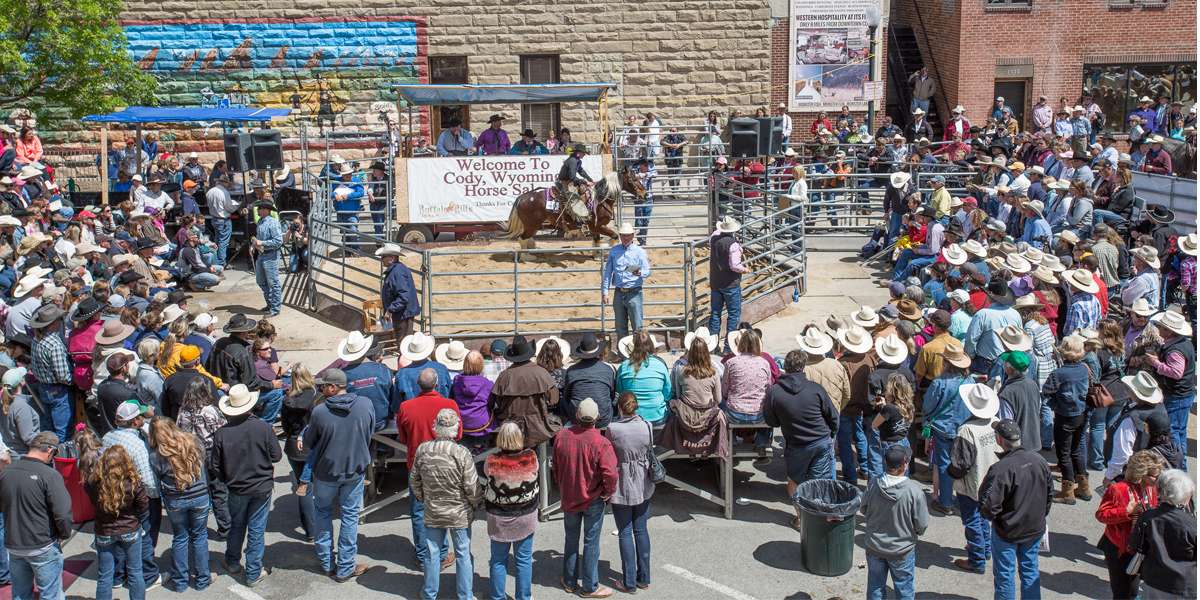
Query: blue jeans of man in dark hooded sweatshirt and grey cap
(349, 497)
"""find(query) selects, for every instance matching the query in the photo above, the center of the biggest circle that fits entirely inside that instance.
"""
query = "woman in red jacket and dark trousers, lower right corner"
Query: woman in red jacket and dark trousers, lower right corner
(1119, 509)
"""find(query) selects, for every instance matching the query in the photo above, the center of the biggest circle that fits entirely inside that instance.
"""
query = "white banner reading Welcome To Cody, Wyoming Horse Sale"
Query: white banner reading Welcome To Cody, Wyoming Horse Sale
(481, 189)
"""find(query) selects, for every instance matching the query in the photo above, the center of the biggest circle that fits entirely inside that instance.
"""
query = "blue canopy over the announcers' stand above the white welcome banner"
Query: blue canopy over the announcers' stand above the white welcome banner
(533, 94)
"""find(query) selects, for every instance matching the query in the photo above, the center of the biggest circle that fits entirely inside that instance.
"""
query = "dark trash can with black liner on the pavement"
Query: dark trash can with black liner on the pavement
(827, 525)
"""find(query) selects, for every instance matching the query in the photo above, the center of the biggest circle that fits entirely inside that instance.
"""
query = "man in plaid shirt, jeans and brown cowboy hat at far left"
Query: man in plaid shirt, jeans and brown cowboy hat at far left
(52, 368)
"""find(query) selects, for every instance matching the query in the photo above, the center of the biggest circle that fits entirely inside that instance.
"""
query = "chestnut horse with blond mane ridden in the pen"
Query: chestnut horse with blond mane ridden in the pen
(530, 213)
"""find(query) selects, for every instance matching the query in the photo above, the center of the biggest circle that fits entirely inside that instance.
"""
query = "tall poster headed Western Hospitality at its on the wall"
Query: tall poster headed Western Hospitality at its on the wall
(830, 47)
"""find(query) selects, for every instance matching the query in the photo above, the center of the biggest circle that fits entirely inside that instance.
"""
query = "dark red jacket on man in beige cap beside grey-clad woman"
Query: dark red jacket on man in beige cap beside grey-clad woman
(585, 467)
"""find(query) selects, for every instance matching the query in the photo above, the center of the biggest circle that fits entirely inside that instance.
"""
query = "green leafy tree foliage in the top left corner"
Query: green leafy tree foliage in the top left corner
(70, 56)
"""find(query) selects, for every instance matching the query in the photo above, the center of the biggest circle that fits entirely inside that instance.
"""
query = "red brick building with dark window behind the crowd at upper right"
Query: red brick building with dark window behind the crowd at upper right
(1021, 50)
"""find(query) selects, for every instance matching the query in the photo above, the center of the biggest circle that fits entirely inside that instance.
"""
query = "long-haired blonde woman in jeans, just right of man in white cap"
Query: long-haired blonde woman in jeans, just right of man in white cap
(178, 460)
